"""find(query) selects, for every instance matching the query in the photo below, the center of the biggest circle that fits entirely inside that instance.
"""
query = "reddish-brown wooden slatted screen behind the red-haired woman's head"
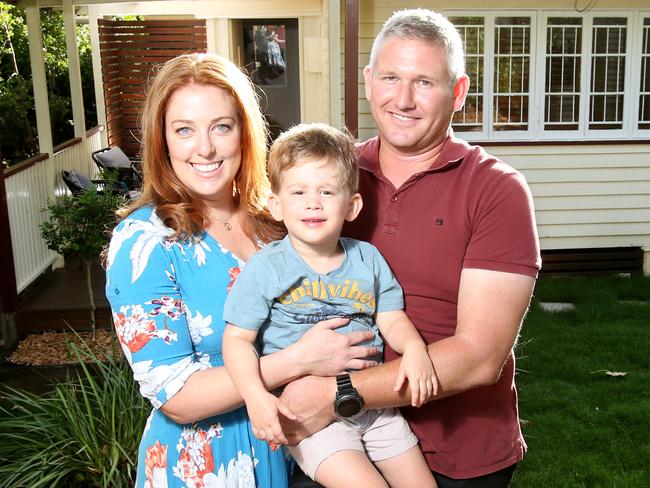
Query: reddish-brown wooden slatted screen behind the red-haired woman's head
(129, 51)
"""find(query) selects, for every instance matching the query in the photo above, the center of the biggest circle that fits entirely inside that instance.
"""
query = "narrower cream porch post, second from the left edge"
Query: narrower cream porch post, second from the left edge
(74, 70)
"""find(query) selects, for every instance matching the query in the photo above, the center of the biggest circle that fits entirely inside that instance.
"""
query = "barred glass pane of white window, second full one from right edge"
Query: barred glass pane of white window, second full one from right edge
(562, 87)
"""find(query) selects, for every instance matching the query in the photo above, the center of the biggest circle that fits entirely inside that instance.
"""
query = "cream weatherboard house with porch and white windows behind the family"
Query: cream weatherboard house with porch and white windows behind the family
(560, 90)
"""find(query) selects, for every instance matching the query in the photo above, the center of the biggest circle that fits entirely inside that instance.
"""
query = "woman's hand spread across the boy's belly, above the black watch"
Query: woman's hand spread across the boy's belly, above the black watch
(324, 352)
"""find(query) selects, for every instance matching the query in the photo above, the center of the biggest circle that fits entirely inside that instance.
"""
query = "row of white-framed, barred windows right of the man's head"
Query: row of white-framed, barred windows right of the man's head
(554, 75)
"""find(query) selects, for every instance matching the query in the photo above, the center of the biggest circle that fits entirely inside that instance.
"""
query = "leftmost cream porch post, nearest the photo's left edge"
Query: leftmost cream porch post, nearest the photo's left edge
(39, 83)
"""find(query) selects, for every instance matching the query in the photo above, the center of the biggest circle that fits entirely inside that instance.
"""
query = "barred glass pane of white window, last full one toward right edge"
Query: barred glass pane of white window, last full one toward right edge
(609, 36)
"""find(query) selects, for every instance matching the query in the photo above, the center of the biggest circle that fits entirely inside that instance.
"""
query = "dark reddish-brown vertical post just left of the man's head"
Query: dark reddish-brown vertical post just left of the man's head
(352, 66)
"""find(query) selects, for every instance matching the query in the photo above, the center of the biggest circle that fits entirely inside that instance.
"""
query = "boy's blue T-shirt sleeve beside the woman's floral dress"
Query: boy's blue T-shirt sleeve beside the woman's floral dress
(248, 304)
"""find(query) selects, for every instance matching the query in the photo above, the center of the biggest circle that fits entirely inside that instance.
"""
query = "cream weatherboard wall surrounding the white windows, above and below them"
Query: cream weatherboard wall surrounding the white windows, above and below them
(586, 195)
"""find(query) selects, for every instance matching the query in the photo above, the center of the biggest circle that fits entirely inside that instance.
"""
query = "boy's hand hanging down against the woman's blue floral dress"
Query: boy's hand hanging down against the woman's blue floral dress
(263, 409)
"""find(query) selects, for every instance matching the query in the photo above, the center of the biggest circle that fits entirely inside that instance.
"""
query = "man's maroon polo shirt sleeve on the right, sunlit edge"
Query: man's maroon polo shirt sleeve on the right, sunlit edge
(504, 233)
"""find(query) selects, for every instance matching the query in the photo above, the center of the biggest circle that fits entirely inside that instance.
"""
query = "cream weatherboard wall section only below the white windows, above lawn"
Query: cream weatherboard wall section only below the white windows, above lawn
(587, 195)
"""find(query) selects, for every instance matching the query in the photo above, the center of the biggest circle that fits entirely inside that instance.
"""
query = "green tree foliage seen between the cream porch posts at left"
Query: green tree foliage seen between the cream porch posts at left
(18, 137)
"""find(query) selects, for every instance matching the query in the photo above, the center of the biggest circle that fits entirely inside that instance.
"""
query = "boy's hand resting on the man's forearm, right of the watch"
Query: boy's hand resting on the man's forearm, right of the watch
(416, 366)
